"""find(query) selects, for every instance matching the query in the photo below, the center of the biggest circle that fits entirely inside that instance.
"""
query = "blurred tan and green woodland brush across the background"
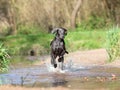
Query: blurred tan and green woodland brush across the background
(55, 13)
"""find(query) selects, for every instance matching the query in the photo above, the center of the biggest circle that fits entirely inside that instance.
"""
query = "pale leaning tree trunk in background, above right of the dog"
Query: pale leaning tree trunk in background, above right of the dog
(74, 14)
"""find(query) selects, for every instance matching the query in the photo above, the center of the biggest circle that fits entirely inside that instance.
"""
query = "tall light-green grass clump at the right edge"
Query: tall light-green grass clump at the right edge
(113, 43)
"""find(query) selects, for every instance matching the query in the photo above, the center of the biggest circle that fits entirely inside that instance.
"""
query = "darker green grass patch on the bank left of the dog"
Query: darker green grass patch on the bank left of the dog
(22, 44)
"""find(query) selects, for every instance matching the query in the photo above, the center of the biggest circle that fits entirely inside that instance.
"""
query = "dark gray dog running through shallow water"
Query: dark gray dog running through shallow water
(58, 46)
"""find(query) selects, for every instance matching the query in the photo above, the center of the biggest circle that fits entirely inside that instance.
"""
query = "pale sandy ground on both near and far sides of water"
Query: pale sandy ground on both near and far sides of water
(83, 58)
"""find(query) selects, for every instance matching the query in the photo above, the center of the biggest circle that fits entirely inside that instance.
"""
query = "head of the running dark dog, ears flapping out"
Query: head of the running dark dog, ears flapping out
(60, 32)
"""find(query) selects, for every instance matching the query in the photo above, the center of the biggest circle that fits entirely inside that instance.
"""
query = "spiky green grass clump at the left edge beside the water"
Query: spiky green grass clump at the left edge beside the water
(4, 62)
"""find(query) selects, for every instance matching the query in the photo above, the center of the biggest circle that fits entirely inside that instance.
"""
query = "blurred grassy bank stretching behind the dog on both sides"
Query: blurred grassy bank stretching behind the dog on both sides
(22, 44)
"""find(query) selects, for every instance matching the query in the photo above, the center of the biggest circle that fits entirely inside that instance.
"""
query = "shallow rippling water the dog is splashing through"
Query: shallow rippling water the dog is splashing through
(74, 76)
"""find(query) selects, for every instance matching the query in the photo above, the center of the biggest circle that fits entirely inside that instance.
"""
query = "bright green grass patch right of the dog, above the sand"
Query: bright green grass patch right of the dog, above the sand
(82, 40)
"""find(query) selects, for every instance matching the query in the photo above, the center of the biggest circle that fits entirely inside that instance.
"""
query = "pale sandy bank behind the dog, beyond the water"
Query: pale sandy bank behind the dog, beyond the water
(89, 58)
